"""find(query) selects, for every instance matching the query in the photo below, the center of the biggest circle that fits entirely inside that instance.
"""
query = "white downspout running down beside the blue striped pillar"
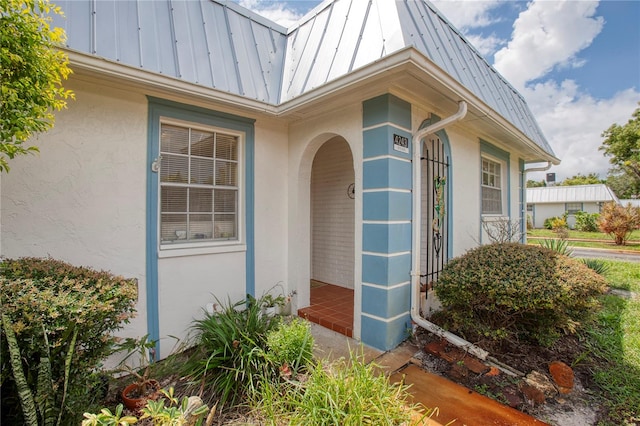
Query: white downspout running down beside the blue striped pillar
(416, 237)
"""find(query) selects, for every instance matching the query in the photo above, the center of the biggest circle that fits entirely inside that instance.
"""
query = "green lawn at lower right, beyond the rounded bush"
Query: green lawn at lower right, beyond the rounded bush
(613, 342)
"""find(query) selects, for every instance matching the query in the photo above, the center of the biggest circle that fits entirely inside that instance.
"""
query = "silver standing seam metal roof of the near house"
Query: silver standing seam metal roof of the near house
(218, 44)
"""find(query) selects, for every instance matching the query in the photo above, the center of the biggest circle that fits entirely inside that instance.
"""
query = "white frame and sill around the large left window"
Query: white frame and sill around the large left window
(170, 249)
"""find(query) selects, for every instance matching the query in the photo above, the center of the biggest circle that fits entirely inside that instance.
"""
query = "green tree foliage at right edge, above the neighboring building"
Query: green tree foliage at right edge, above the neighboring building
(622, 144)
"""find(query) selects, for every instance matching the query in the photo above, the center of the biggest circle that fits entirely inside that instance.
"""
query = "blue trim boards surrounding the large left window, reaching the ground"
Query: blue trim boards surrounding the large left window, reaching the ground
(159, 108)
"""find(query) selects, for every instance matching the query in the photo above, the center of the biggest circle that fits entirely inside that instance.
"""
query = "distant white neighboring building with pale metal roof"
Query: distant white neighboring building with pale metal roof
(554, 201)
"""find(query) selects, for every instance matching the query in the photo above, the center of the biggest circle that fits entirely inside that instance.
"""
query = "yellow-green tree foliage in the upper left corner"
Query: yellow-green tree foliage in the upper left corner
(32, 70)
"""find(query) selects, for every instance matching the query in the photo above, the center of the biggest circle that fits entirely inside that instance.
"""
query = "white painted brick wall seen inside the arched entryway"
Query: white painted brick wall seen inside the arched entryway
(332, 215)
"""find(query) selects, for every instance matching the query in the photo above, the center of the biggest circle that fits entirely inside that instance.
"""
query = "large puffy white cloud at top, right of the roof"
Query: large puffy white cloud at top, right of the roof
(546, 35)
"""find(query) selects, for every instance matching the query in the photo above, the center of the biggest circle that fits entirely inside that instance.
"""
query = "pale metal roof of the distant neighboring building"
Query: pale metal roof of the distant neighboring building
(571, 194)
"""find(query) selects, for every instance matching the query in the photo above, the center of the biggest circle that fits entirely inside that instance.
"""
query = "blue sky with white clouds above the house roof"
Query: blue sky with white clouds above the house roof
(576, 62)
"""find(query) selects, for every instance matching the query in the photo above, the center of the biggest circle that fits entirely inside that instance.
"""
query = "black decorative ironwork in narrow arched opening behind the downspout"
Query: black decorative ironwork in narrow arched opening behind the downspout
(435, 204)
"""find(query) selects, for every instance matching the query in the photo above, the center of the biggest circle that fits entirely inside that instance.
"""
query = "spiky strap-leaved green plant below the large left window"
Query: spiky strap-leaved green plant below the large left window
(230, 351)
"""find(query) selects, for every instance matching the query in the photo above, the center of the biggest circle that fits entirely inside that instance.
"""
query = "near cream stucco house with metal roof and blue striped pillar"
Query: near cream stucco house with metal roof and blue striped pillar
(210, 151)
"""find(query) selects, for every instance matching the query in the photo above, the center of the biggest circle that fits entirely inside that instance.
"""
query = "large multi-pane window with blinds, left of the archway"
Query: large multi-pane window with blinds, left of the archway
(198, 185)
